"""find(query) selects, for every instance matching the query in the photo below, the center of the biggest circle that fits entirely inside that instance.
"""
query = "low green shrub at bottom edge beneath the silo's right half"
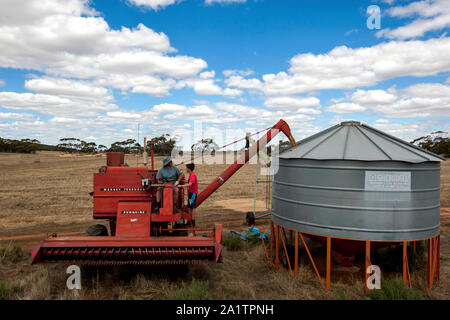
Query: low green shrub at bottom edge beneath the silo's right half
(394, 290)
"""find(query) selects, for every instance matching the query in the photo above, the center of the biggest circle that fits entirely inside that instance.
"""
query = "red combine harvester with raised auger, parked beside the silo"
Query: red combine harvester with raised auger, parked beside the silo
(139, 232)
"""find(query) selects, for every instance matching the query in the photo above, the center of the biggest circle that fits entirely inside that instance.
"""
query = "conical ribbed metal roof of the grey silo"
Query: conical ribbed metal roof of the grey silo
(352, 140)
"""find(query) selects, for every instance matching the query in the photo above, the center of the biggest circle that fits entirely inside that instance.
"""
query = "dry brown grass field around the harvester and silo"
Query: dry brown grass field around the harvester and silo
(44, 192)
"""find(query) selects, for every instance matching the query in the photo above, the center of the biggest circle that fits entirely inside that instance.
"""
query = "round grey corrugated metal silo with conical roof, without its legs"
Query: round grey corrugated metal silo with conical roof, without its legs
(355, 182)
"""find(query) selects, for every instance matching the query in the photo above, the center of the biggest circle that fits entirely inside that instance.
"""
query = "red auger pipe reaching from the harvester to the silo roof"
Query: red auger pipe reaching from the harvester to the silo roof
(261, 143)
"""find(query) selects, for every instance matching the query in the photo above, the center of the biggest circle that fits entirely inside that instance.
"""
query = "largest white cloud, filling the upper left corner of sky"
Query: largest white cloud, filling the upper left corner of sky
(70, 40)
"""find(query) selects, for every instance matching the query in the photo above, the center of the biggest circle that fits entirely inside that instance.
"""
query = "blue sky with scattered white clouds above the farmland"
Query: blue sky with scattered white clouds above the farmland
(96, 69)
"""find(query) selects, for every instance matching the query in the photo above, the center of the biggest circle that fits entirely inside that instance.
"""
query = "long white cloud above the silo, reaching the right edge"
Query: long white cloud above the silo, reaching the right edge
(346, 68)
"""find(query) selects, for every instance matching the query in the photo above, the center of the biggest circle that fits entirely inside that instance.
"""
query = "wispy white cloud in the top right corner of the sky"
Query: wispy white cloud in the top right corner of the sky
(430, 15)
